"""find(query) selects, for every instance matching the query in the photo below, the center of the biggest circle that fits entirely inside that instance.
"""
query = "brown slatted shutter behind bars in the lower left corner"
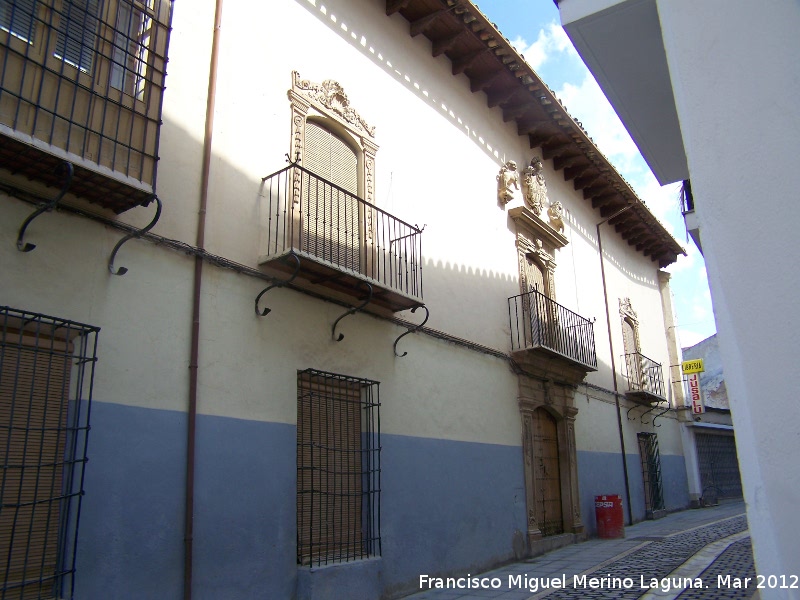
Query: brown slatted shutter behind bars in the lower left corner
(34, 385)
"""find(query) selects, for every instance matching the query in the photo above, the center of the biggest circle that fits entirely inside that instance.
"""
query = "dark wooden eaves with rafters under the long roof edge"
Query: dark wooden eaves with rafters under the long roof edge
(475, 47)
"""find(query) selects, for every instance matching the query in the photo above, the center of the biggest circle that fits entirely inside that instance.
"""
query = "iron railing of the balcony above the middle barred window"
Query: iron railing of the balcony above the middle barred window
(311, 216)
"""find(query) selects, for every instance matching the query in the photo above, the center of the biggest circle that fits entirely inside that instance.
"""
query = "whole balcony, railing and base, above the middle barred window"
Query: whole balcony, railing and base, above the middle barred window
(327, 240)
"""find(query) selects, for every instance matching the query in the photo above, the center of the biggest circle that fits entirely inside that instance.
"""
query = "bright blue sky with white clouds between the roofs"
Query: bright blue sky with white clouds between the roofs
(534, 29)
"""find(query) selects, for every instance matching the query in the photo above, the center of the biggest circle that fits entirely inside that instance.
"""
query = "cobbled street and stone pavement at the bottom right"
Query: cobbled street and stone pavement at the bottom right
(698, 554)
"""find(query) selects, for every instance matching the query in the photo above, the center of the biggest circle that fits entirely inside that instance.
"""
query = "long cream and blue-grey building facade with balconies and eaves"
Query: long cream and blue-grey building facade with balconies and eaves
(346, 298)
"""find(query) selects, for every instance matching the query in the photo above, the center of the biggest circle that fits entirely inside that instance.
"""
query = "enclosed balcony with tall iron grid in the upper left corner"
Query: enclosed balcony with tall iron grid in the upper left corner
(82, 81)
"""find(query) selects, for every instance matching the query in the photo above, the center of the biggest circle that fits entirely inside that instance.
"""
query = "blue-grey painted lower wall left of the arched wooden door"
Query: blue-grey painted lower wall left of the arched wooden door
(446, 507)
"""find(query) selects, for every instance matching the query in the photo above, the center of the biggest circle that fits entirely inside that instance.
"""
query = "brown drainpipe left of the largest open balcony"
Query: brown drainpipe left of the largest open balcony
(198, 282)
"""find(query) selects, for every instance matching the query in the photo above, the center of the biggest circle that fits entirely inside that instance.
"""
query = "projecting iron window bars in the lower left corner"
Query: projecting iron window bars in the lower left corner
(46, 376)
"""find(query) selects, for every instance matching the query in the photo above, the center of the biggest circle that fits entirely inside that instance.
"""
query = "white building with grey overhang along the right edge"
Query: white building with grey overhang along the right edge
(674, 70)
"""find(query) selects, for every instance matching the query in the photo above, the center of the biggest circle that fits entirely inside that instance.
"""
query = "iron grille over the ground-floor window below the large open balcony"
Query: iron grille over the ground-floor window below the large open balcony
(338, 468)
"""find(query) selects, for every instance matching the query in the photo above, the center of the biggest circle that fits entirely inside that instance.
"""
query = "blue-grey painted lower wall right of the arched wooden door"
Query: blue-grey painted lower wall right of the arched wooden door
(602, 473)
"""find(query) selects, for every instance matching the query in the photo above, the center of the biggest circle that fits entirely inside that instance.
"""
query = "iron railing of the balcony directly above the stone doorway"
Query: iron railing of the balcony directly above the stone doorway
(540, 322)
